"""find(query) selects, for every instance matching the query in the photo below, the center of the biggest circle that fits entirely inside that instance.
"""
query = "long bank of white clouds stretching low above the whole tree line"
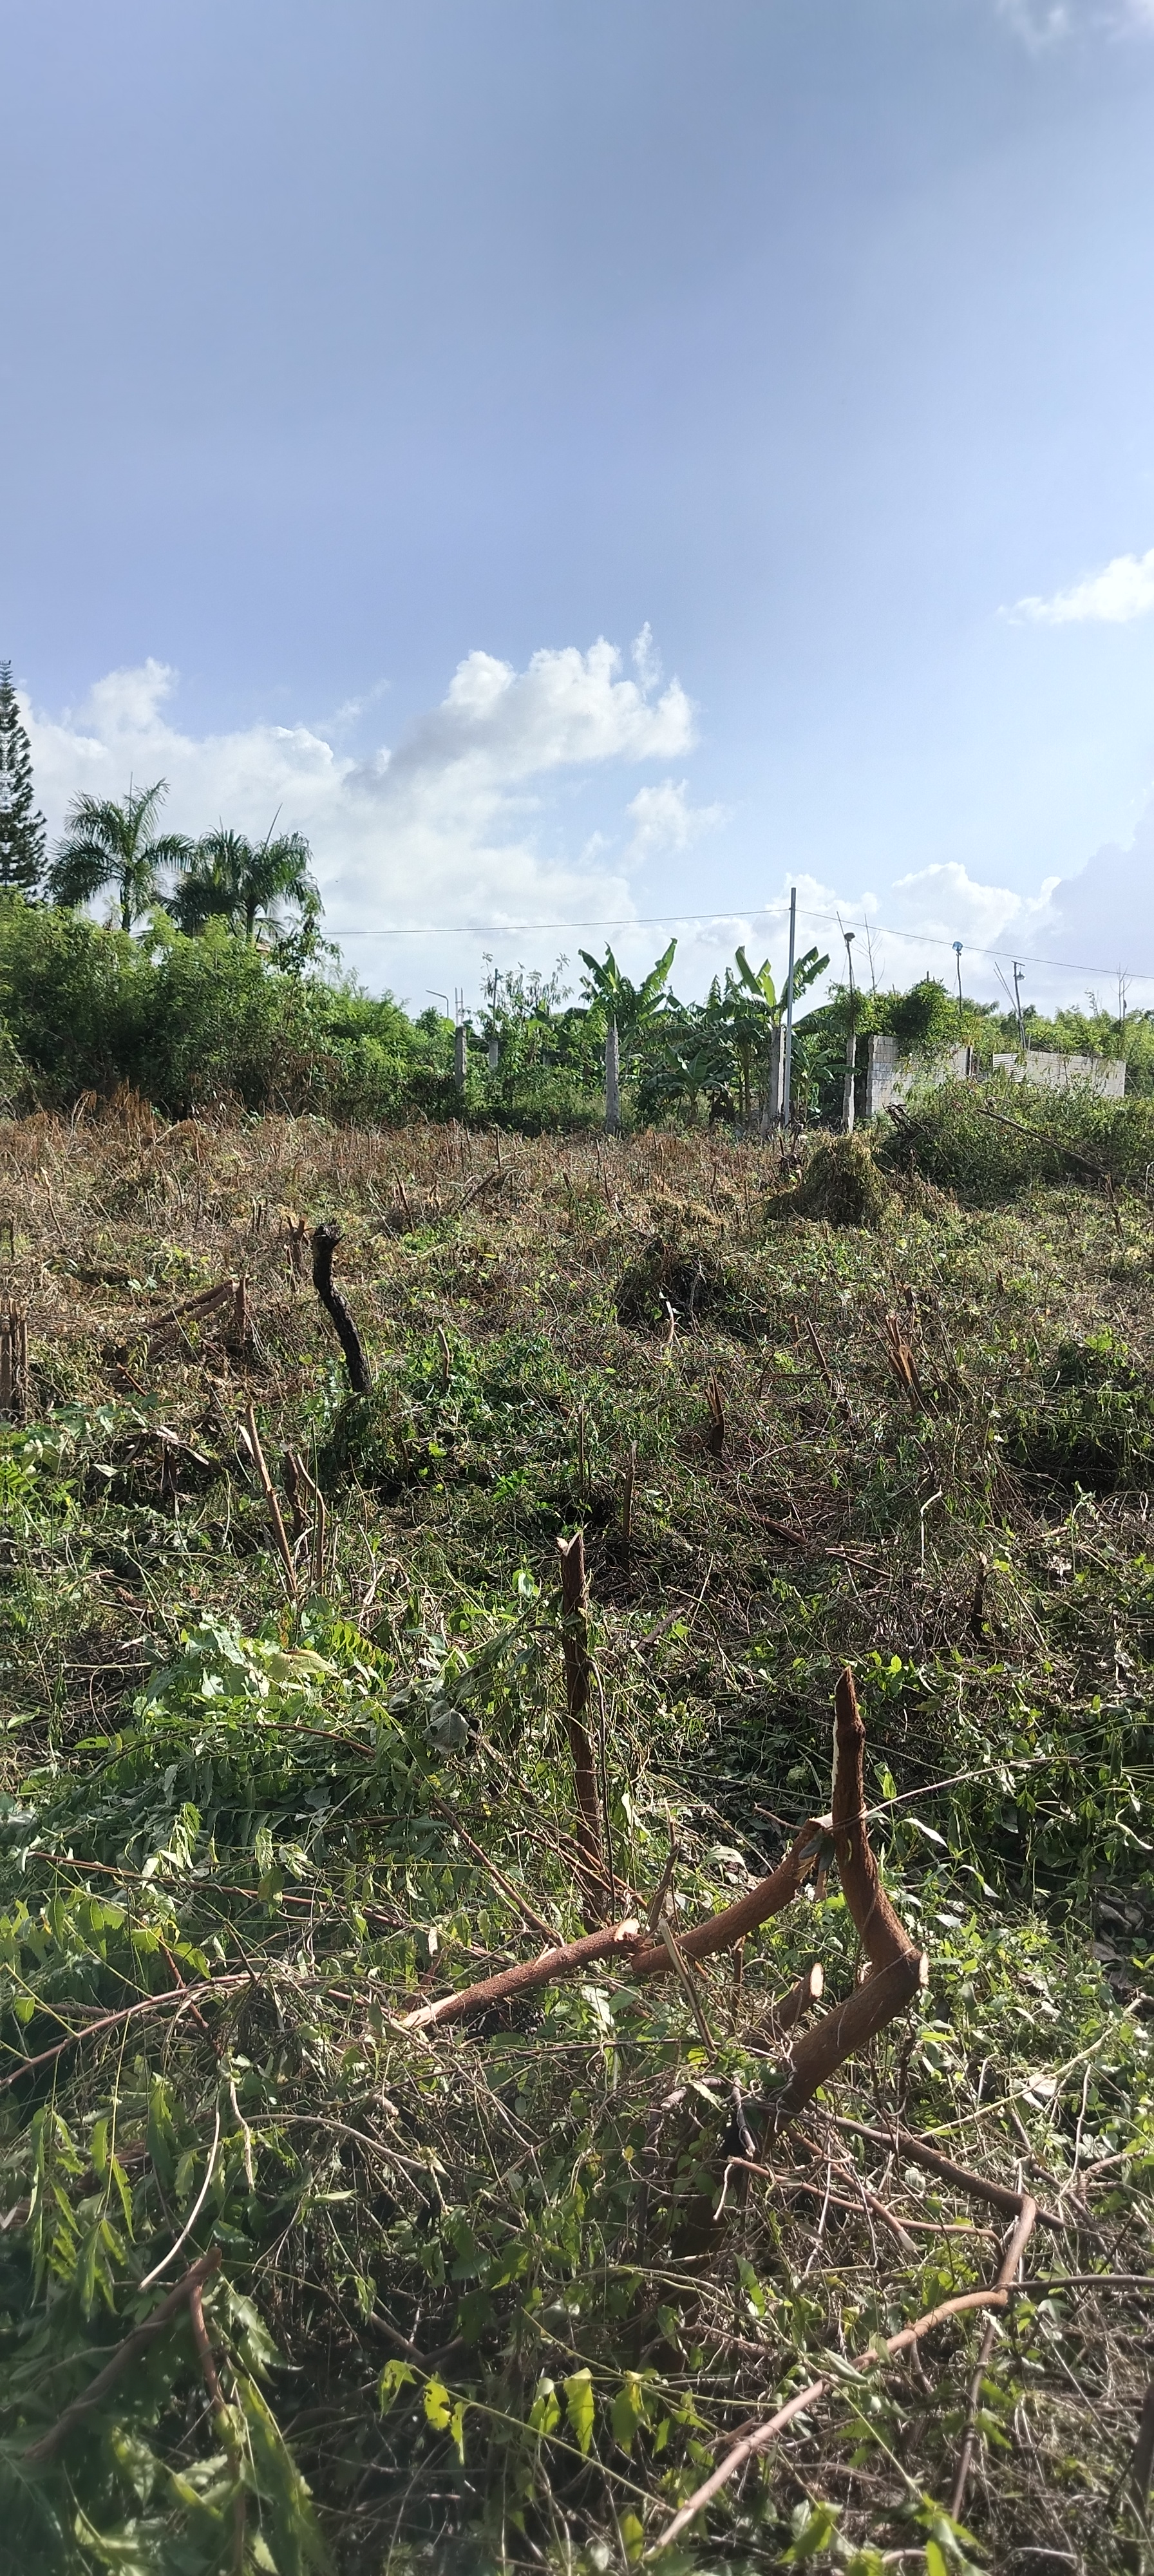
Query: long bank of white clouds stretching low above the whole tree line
(457, 826)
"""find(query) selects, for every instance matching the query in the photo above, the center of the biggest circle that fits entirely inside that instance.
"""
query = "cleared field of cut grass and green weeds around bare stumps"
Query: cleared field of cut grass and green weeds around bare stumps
(501, 2291)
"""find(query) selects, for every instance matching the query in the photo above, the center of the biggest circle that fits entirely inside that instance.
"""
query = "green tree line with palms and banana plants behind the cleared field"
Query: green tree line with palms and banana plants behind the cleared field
(215, 983)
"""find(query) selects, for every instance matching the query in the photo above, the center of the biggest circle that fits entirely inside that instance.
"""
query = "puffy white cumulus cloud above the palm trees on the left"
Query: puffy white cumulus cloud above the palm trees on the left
(447, 826)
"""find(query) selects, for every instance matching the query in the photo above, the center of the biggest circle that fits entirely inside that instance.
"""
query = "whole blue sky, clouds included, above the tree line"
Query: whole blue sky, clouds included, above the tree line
(375, 375)
